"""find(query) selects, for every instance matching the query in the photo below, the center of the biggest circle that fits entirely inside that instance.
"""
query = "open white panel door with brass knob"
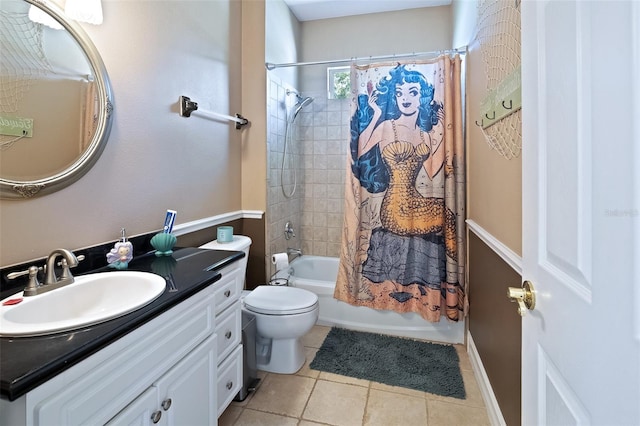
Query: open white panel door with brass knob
(581, 212)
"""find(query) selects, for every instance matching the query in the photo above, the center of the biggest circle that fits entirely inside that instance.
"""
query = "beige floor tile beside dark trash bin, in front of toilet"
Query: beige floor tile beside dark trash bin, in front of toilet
(282, 394)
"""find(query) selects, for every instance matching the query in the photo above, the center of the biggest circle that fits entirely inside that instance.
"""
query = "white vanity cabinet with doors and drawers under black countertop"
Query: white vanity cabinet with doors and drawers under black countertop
(166, 371)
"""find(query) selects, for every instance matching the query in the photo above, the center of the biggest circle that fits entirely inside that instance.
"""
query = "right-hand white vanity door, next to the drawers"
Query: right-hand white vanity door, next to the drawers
(187, 392)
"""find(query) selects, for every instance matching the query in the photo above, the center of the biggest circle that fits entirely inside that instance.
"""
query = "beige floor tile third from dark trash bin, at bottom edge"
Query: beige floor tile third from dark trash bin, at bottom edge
(387, 408)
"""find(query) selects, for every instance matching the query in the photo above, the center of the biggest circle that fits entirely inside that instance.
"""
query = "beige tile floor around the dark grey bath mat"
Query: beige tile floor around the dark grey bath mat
(311, 397)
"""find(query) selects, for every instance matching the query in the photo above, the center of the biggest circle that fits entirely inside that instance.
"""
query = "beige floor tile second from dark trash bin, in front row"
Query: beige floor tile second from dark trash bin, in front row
(336, 404)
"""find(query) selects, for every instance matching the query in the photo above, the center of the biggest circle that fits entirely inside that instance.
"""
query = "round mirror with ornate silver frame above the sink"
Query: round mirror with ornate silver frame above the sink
(63, 140)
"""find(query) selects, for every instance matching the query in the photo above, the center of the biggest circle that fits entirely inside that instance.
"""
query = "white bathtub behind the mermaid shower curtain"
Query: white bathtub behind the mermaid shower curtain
(318, 274)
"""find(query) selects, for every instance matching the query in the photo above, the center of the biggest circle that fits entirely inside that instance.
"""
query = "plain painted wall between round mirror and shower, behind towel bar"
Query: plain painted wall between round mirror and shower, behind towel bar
(155, 159)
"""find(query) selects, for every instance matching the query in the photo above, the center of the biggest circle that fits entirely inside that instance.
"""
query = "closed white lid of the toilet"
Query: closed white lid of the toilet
(280, 300)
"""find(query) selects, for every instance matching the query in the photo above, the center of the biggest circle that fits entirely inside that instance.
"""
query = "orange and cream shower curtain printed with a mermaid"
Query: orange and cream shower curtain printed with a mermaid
(403, 234)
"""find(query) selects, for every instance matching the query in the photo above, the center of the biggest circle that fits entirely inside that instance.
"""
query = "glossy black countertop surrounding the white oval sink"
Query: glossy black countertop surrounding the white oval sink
(27, 362)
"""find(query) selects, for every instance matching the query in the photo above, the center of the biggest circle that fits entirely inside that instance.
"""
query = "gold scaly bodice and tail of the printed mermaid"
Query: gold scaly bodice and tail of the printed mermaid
(404, 211)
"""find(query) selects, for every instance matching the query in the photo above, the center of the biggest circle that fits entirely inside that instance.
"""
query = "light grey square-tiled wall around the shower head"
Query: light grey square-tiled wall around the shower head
(320, 144)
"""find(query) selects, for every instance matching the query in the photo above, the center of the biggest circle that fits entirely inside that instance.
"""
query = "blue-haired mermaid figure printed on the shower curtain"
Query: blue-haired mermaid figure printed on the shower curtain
(393, 141)
